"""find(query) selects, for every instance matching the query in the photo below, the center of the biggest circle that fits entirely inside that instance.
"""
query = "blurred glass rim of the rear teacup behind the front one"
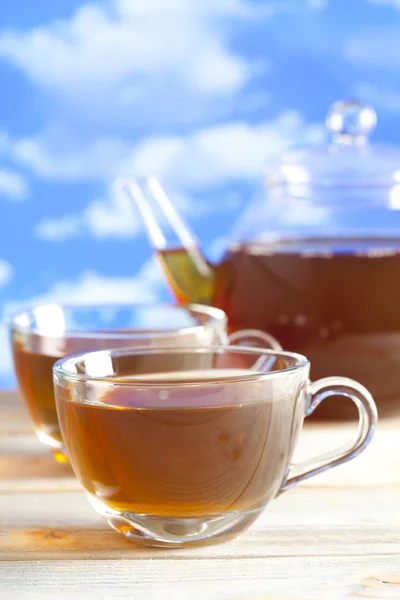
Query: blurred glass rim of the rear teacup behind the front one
(215, 316)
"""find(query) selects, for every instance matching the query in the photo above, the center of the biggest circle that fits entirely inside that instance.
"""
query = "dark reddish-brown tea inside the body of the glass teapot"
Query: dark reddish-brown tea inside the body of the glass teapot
(336, 302)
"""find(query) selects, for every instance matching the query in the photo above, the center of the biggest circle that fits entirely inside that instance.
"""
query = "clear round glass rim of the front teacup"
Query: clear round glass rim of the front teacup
(60, 368)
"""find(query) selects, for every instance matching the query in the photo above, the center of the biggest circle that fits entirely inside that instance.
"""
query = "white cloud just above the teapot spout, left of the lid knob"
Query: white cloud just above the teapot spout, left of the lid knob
(218, 154)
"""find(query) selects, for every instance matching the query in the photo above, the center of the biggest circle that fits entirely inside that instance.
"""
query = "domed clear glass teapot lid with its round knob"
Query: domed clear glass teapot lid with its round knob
(349, 160)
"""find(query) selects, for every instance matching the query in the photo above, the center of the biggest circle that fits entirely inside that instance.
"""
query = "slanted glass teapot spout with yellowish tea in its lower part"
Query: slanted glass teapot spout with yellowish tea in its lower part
(188, 273)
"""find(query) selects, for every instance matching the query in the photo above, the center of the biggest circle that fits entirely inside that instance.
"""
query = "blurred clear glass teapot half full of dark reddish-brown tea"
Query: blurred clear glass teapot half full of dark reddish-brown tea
(314, 260)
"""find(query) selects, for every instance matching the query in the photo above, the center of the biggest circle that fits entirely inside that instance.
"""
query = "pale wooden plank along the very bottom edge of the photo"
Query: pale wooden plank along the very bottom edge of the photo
(315, 577)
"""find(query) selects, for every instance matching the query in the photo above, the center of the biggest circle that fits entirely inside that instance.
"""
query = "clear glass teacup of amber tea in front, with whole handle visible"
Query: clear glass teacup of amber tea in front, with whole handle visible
(186, 446)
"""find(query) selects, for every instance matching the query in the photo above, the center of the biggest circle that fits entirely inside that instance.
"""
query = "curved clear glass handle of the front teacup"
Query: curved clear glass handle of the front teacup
(321, 390)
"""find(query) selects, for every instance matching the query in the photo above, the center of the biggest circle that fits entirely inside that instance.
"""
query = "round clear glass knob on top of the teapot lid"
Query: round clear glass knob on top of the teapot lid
(350, 122)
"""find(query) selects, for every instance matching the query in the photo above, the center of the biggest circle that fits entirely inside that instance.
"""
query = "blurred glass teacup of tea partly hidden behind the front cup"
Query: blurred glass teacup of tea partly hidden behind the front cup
(44, 333)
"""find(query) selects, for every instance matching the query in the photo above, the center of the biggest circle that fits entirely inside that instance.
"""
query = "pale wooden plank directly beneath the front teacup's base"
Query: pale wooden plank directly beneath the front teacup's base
(300, 523)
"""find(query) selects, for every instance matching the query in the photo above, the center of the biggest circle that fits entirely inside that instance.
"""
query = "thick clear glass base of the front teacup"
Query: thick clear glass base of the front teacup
(176, 532)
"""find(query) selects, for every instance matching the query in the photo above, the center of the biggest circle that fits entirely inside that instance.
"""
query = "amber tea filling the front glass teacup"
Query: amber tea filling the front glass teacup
(181, 461)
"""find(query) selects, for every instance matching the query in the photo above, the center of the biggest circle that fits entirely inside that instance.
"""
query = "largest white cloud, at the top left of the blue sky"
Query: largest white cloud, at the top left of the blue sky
(126, 55)
